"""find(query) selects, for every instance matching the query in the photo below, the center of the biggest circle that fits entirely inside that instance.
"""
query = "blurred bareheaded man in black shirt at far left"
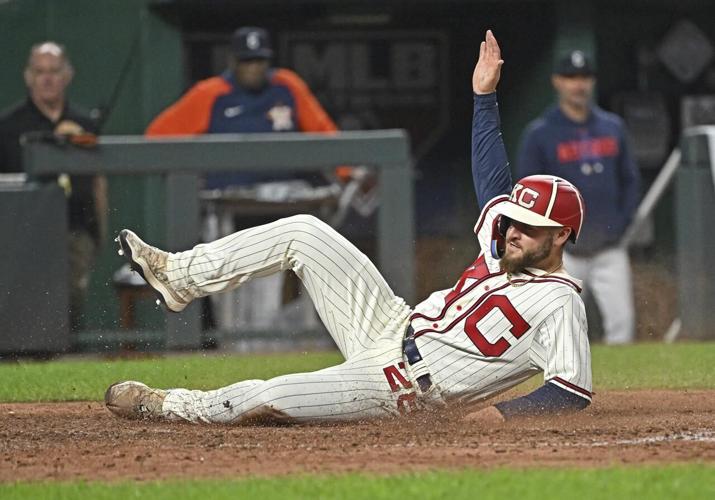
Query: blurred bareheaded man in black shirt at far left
(47, 75)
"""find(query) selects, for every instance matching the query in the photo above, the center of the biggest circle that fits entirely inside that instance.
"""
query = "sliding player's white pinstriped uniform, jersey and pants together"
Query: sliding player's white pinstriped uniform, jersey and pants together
(367, 322)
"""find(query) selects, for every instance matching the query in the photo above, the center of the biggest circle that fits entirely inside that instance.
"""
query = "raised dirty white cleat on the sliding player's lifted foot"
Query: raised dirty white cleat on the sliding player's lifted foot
(150, 263)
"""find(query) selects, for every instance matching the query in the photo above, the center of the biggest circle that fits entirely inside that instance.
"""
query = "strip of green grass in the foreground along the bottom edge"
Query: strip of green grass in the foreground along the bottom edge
(668, 482)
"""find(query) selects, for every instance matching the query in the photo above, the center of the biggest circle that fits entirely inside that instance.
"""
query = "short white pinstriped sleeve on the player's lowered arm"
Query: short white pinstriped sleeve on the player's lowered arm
(561, 348)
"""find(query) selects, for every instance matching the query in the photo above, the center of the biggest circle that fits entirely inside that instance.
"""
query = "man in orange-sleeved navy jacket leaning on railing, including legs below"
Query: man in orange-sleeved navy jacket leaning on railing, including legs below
(250, 96)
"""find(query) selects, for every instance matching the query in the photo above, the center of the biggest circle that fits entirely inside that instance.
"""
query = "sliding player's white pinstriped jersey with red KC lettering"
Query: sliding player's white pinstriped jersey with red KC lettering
(488, 334)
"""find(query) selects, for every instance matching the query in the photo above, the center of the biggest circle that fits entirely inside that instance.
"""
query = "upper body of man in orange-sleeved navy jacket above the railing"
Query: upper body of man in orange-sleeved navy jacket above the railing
(248, 97)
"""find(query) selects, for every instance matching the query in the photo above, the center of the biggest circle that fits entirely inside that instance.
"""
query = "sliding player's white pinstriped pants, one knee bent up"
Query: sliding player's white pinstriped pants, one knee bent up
(364, 317)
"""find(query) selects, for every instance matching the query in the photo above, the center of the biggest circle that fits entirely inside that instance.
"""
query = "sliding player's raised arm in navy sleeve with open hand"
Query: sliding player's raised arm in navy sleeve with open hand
(490, 166)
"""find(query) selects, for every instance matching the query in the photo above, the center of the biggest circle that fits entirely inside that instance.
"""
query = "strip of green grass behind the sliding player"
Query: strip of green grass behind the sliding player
(674, 366)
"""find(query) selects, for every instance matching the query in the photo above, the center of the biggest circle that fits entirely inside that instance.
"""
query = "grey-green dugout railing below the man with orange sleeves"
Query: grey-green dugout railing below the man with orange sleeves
(181, 162)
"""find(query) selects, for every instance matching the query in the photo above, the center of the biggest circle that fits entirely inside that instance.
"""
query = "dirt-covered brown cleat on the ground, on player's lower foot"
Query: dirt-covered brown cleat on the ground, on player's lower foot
(134, 400)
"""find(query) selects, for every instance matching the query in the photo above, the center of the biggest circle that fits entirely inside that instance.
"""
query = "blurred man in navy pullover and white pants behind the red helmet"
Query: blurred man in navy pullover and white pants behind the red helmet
(588, 146)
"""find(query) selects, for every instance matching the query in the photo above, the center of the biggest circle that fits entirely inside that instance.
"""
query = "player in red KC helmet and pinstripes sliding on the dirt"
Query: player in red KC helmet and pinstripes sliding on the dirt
(513, 313)
